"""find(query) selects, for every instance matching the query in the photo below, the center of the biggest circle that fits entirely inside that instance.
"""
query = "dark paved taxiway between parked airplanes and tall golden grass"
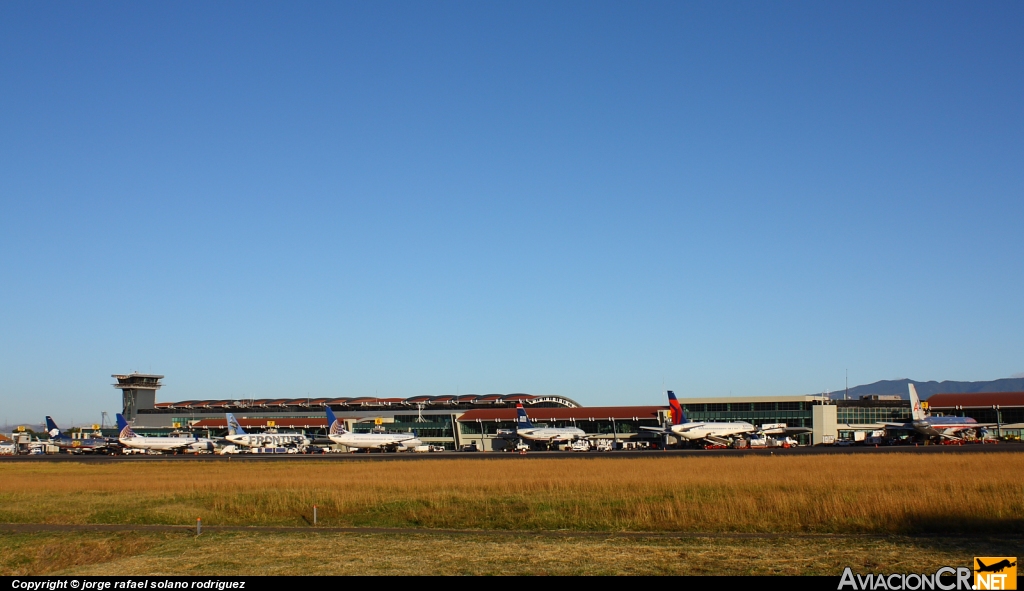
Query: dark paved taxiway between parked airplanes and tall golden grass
(406, 457)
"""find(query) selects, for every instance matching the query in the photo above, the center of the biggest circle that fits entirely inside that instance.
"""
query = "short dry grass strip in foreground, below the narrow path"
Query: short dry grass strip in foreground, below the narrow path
(428, 554)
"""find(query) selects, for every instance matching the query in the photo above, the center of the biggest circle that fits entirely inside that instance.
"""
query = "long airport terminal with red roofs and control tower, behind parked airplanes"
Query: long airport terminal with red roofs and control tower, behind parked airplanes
(457, 421)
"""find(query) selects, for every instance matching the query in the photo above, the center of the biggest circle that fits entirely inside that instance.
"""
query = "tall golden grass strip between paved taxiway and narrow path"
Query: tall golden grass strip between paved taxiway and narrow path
(891, 494)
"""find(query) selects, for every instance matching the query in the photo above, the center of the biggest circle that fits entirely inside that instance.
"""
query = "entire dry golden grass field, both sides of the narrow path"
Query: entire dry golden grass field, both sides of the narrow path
(969, 505)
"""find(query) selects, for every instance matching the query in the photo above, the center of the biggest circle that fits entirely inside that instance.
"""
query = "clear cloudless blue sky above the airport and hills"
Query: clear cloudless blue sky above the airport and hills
(576, 198)
